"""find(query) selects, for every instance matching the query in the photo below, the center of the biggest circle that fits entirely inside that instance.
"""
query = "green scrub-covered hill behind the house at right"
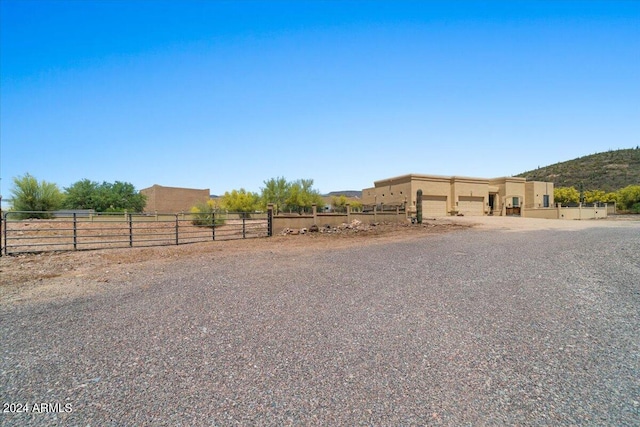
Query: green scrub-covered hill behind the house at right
(608, 171)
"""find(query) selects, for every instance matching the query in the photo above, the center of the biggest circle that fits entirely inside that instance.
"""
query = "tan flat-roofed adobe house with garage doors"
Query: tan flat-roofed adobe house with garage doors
(452, 195)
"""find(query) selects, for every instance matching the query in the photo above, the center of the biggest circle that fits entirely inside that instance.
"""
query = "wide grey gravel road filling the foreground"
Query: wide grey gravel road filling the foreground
(474, 327)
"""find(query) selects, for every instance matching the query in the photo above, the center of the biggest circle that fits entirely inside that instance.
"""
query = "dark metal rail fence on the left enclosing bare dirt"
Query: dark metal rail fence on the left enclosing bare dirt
(32, 232)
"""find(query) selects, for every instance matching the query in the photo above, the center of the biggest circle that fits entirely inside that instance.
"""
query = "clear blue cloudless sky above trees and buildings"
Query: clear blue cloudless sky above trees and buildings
(224, 95)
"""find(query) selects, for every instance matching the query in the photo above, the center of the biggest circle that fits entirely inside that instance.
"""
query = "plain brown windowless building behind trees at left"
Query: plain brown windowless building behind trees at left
(173, 199)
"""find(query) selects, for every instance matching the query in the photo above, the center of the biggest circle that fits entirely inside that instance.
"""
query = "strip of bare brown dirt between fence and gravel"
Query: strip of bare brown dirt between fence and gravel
(40, 277)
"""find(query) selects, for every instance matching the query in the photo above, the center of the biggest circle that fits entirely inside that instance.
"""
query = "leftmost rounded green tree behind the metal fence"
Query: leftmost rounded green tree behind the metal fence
(30, 195)
